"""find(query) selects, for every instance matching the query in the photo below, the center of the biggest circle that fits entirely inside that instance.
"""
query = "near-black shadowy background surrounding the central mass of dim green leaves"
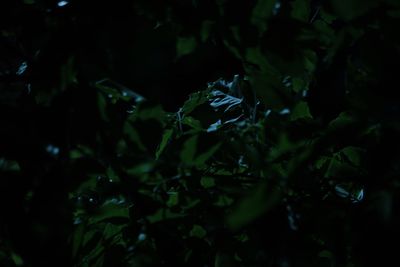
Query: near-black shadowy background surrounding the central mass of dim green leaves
(344, 53)
